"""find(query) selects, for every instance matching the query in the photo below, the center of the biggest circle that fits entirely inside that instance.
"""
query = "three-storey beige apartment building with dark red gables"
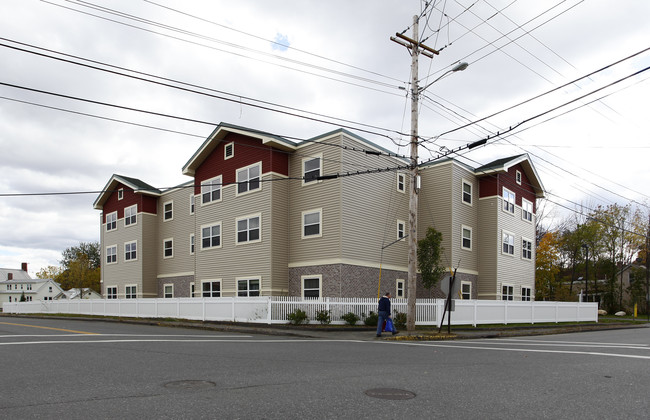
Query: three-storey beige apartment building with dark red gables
(256, 219)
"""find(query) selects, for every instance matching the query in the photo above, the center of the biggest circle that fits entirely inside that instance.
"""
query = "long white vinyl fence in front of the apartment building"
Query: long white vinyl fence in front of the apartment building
(274, 310)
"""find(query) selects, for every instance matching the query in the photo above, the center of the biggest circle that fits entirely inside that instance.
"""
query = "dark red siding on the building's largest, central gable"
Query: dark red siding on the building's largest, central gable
(247, 151)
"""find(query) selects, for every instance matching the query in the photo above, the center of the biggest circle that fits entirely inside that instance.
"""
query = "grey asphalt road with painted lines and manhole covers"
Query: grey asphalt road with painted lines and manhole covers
(97, 370)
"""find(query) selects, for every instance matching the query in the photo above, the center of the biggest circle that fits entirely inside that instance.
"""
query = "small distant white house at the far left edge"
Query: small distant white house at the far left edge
(14, 284)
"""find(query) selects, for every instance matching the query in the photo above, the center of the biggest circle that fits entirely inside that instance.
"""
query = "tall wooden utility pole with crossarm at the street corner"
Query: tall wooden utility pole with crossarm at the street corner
(415, 47)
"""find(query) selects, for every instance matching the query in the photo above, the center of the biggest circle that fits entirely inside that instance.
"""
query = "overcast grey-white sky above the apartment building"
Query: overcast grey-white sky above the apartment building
(330, 61)
